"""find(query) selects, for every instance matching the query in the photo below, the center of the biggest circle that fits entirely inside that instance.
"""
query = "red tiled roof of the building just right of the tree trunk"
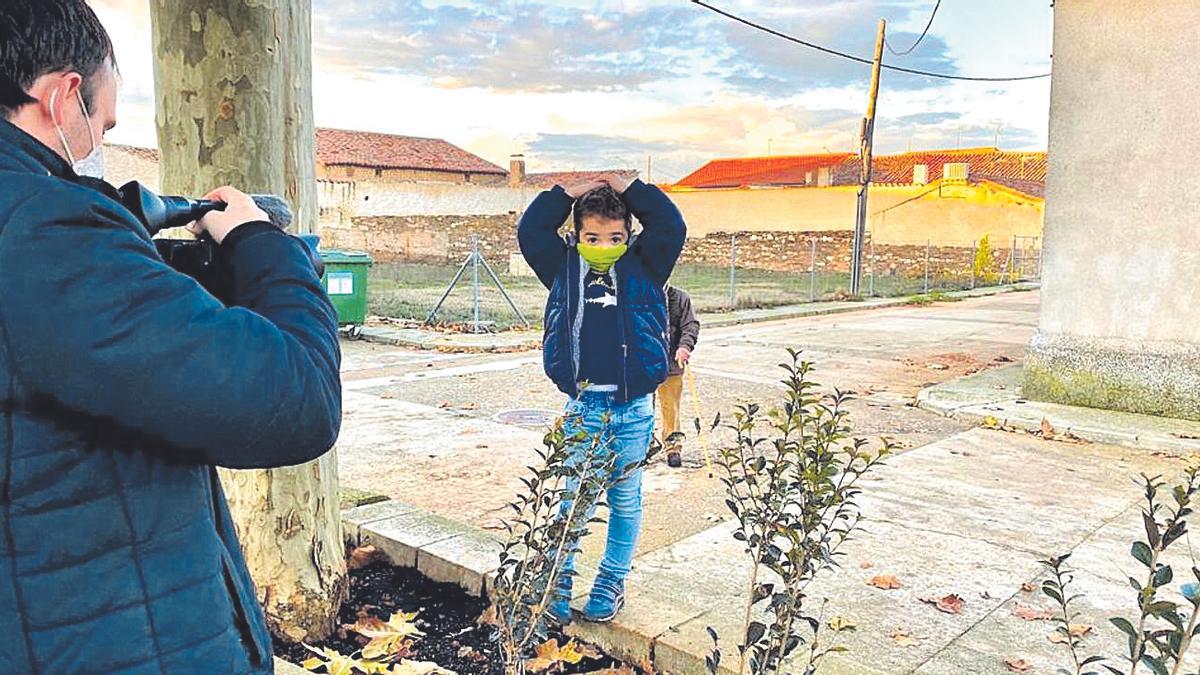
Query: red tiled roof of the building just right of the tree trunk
(337, 147)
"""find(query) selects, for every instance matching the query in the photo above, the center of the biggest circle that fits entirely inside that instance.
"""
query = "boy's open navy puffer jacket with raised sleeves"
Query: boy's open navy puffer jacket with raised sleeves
(639, 277)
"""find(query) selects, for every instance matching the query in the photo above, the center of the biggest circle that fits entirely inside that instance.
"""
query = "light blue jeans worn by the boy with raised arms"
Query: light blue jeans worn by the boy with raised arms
(628, 434)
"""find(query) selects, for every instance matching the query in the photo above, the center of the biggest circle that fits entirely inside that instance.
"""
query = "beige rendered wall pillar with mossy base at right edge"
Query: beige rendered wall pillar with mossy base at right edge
(1120, 325)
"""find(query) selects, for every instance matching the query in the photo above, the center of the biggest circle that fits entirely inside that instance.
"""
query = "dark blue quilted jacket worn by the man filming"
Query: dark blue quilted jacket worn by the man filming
(124, 385)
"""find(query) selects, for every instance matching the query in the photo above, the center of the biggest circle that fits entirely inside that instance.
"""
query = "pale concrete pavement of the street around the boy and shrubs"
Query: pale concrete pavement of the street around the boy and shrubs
(965, 511)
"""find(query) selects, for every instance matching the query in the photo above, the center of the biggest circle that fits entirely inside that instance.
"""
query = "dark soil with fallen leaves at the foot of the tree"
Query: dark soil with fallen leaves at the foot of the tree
(448, 616)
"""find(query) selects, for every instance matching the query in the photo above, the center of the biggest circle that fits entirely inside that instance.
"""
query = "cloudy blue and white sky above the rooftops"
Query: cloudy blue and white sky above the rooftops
(579, 85)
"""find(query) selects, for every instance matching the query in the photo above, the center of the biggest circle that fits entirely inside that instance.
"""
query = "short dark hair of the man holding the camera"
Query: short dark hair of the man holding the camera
(45, 37)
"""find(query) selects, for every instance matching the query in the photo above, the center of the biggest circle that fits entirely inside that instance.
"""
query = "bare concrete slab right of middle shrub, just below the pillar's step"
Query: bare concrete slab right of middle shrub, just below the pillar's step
(1019, 492)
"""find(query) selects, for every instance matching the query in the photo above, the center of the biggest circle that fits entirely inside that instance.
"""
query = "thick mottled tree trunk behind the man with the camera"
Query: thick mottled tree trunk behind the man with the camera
(235, 107)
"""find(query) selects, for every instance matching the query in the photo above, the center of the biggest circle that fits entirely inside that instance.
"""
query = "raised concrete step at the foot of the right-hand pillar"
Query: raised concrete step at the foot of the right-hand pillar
(997, 396)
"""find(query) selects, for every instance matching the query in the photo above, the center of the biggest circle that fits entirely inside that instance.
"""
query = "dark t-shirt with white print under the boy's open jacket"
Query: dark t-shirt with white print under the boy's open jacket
(601, 359)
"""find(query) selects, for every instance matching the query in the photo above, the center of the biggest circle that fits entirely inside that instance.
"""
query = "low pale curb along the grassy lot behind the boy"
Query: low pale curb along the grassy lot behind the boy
(419, 339)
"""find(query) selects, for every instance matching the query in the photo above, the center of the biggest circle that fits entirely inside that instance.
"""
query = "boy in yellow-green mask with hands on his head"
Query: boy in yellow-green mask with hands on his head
(605, 343)
